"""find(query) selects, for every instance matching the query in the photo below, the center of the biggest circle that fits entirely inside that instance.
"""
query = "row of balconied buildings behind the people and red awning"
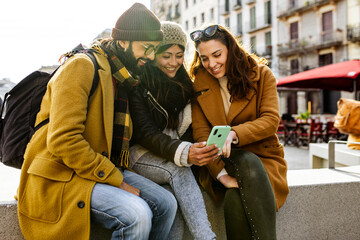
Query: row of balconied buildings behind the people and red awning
(293, 35)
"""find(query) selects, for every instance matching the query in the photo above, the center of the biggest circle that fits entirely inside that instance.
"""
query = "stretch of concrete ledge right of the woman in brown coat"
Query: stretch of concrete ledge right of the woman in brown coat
(322, 204)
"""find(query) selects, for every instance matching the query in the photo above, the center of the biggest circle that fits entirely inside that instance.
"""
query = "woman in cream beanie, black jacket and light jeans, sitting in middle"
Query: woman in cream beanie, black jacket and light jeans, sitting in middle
(162, 148)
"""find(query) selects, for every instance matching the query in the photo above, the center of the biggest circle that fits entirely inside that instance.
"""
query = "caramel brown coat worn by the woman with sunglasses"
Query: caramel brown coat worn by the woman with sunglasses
(255, 121)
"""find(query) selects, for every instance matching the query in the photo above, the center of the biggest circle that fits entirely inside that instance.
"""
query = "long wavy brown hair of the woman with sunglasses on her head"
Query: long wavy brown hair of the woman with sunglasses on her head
(239, 64)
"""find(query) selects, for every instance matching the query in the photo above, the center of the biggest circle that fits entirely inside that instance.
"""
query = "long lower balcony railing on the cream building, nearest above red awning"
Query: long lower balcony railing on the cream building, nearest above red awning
(311, 43)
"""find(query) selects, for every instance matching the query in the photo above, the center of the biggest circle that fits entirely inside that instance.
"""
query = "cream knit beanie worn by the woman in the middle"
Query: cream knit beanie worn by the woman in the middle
(173, 34)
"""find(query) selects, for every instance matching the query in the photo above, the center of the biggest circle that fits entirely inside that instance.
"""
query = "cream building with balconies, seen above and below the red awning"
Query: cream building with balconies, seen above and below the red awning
(311, 33)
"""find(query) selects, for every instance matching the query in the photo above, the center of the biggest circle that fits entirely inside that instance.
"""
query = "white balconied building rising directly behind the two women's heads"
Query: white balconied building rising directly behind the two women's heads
(250, 21)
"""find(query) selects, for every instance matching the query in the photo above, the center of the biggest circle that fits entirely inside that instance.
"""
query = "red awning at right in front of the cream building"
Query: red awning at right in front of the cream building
(338, 76)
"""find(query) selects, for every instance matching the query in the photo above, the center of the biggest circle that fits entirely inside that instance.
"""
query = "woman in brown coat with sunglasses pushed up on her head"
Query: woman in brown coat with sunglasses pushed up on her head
(235, 89)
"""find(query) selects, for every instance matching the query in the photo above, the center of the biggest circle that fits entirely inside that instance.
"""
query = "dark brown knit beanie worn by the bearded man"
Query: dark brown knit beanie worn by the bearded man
(137, 24)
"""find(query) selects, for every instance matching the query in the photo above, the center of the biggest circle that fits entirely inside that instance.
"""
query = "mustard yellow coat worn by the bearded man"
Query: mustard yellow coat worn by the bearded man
(66, 157)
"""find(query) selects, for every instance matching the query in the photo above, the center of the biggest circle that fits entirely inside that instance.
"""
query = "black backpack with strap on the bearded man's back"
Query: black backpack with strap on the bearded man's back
(21, 105)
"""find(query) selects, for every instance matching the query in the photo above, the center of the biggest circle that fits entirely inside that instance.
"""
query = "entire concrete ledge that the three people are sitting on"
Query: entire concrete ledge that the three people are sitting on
(322, 204)
